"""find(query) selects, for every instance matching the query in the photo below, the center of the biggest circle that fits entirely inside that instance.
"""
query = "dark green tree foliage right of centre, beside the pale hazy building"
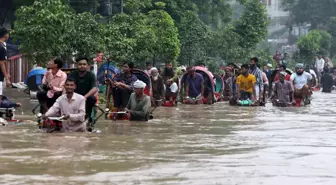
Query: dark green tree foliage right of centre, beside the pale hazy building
(237, 40)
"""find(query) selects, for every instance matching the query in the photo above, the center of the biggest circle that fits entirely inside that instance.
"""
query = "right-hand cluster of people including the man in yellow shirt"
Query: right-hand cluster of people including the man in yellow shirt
(282, 86)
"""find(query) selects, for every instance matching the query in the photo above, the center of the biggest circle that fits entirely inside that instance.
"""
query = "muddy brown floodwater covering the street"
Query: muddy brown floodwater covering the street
(185, 145)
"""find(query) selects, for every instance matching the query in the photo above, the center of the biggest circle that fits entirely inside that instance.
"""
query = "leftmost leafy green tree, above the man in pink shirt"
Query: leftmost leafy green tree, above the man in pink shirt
(49, 28)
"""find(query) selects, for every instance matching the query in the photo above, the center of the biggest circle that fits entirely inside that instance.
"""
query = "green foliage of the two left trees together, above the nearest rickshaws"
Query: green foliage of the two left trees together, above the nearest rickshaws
(56, 30)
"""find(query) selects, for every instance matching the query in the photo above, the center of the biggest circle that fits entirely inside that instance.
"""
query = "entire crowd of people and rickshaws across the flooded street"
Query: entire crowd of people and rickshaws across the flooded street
(74, 95)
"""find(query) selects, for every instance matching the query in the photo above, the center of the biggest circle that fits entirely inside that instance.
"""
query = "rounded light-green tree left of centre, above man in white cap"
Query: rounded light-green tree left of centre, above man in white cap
(139, 37)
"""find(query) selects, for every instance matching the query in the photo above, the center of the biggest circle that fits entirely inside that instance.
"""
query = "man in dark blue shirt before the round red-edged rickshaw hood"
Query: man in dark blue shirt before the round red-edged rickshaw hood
(195, 85)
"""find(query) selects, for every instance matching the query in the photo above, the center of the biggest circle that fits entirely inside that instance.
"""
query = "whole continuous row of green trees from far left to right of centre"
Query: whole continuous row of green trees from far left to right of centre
(189, 31)
